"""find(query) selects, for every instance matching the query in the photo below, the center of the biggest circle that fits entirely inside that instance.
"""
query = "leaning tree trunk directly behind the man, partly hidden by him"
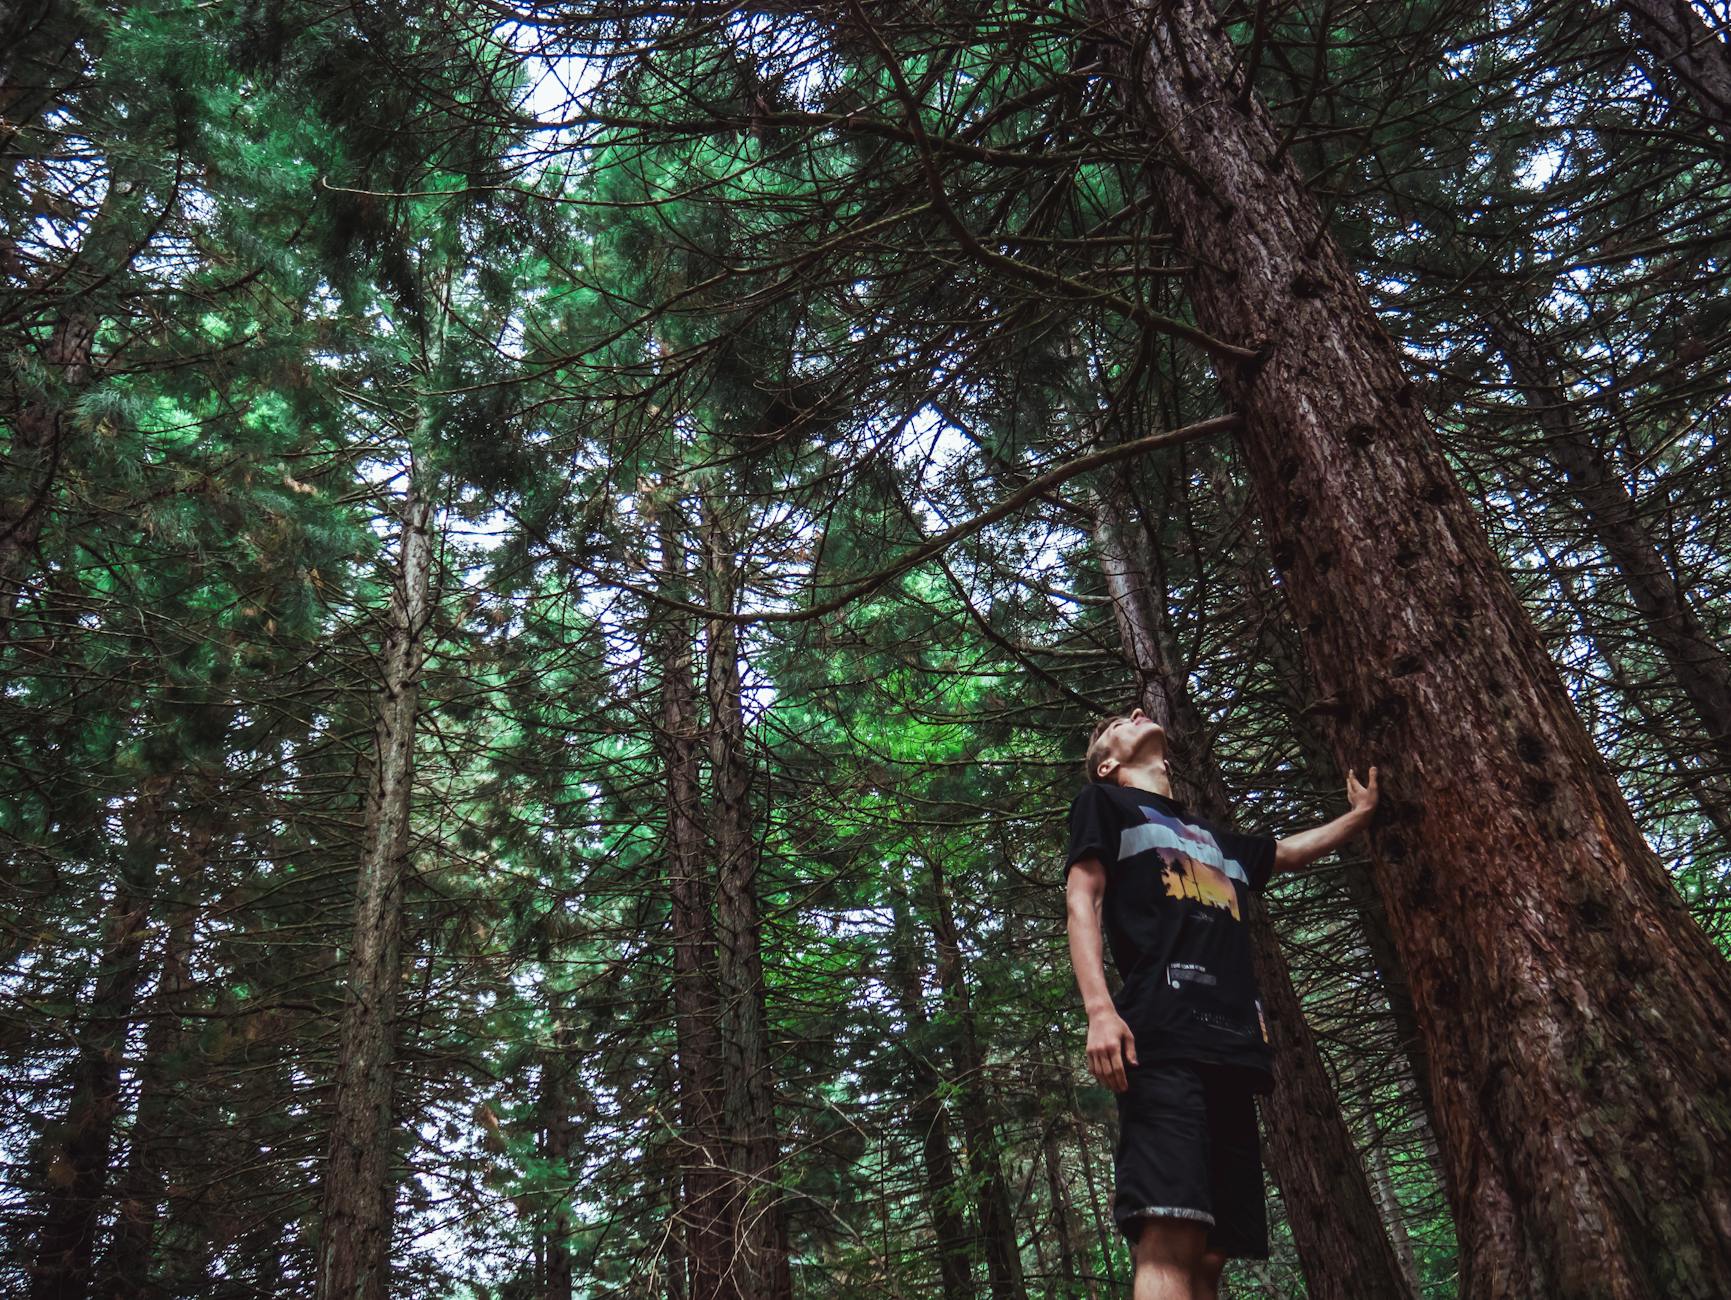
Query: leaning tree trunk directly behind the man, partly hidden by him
(1342, 1245)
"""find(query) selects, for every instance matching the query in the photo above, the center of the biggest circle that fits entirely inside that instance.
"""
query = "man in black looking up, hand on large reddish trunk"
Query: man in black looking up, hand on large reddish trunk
(1185, 1043)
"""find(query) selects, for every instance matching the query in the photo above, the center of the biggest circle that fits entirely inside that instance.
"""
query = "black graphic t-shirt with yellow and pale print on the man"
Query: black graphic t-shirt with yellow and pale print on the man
(1176, 917)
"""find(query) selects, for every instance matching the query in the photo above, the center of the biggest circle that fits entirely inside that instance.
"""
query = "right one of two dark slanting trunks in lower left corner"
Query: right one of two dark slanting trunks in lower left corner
(127, 1270)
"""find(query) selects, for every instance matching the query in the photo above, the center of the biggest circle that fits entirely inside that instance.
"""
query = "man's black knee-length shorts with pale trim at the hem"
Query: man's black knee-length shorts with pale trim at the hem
(1188, 1149)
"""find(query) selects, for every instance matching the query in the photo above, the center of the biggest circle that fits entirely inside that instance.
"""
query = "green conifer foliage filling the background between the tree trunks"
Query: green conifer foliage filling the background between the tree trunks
(832, 290)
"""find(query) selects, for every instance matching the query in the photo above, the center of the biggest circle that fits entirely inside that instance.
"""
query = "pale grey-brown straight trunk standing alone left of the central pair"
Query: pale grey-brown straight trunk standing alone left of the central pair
(359, 1183)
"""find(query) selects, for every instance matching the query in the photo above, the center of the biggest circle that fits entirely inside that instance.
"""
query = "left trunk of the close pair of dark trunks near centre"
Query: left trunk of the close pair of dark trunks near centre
(707, 1232)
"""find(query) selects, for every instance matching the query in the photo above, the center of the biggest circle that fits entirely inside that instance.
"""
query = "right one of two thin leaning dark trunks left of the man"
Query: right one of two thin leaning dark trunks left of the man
(979, 1110)
